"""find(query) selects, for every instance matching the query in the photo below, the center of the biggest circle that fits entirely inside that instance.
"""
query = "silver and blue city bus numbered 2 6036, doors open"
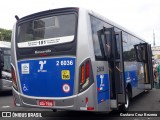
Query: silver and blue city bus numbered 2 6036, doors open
(75, 59)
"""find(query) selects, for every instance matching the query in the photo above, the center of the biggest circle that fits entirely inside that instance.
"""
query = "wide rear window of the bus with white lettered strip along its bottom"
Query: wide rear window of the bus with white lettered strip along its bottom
(48, 30)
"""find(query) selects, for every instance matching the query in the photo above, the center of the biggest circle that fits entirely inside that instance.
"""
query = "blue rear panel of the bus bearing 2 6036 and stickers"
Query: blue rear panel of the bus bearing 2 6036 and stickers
(52, 77)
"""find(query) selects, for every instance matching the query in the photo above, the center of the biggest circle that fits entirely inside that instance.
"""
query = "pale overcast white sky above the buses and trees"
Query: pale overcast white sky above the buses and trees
(142, 17)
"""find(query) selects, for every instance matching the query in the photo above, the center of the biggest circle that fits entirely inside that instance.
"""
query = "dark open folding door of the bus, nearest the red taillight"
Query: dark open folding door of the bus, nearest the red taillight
(116, 67)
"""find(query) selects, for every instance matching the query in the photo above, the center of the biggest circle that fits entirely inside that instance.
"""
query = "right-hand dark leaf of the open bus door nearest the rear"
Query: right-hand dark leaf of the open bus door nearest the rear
(119, 69)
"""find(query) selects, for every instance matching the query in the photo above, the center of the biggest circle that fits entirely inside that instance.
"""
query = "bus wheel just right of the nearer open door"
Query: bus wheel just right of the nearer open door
(125, 107)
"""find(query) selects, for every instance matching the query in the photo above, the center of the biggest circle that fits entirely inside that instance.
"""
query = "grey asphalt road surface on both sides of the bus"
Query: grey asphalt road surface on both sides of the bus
(149, 101)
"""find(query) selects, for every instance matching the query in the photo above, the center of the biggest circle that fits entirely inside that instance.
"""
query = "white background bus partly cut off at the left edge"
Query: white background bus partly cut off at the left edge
(5, 81)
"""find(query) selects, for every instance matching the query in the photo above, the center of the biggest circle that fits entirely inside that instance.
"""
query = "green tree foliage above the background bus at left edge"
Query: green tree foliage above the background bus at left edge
(5, 35)
